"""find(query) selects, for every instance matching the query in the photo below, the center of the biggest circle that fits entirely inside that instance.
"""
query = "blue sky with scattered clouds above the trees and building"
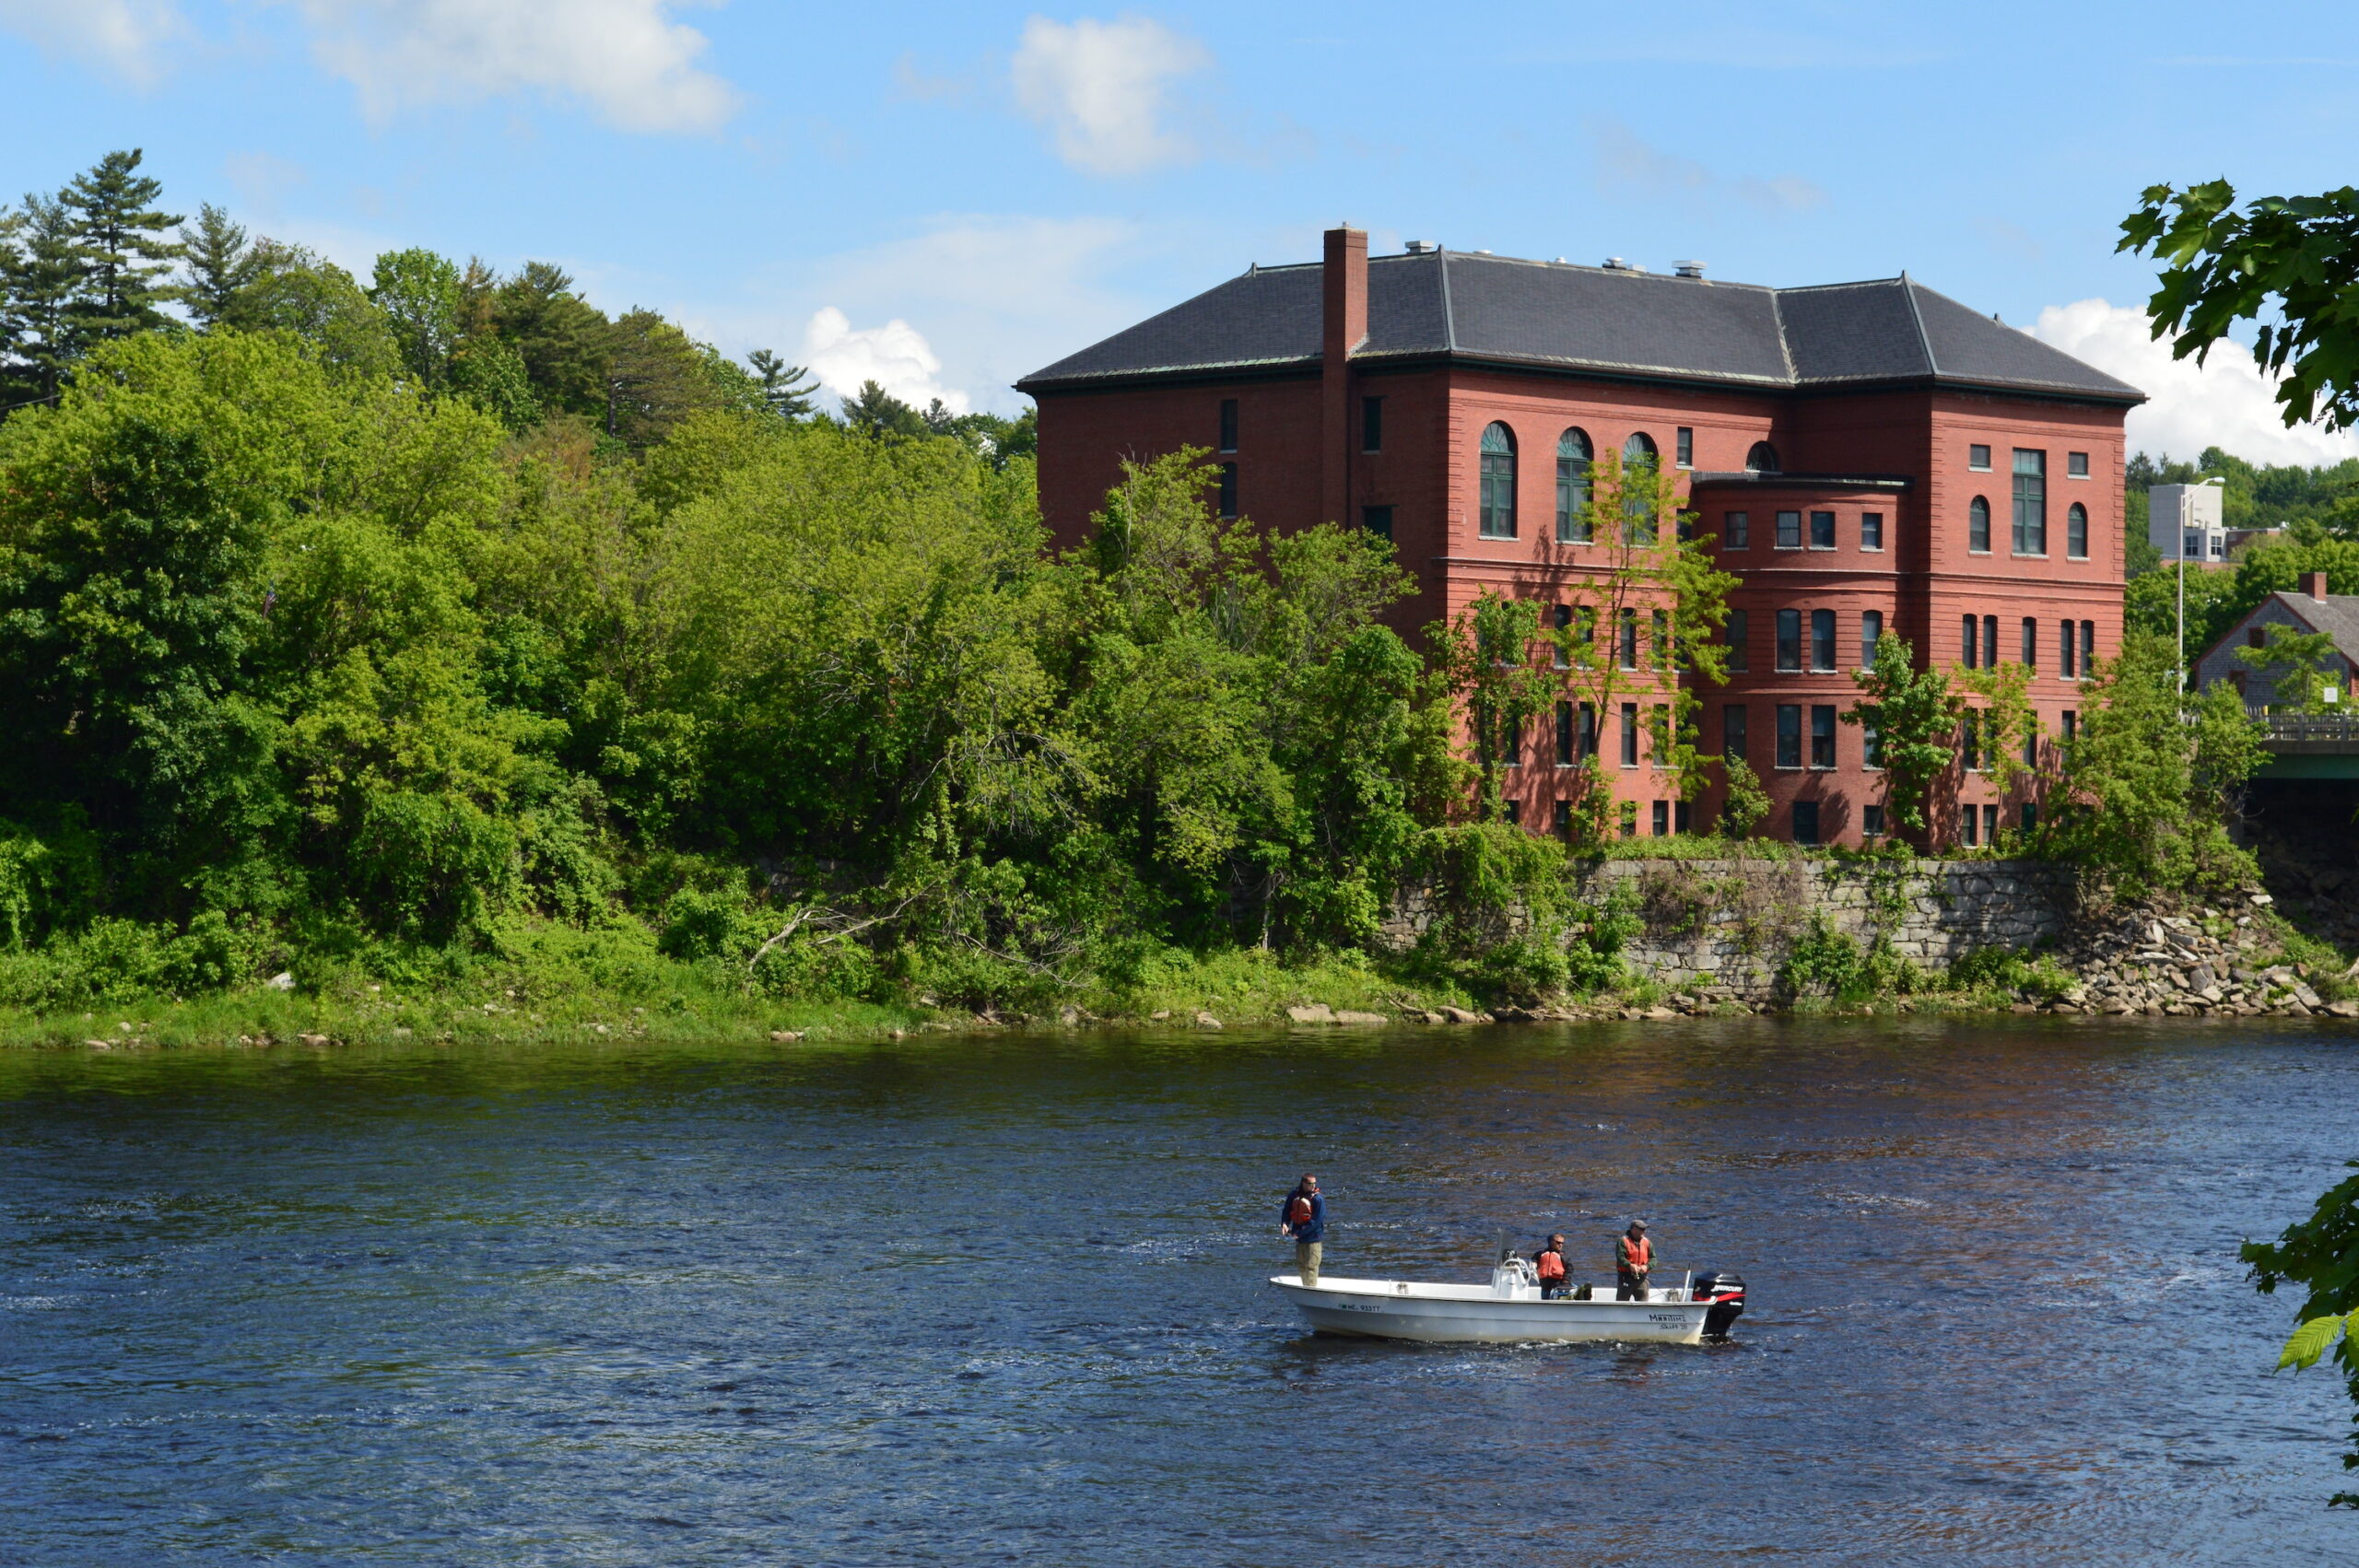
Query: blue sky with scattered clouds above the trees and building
(952, 197)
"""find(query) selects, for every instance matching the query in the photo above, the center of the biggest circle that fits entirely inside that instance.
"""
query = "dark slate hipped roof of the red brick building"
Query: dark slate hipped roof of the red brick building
(1608, 322)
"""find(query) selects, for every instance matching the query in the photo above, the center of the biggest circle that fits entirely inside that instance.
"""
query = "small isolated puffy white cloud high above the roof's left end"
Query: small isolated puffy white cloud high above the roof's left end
(1100, 88)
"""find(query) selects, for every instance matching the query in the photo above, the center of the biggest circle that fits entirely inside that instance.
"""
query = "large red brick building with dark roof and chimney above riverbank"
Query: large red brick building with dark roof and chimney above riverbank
(1870, 456)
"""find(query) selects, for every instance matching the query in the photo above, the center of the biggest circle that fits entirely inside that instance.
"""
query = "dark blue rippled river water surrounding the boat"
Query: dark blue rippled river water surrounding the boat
(1001, 1300)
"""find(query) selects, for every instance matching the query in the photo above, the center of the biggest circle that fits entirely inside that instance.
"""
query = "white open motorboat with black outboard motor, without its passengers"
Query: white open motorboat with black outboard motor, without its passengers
(1511, 1310)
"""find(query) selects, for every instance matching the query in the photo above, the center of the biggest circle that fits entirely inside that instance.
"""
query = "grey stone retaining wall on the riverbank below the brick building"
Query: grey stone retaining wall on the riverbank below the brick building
(1728, 925)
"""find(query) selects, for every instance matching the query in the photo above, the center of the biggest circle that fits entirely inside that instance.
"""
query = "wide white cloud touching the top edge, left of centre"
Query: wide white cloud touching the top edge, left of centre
(624, 58)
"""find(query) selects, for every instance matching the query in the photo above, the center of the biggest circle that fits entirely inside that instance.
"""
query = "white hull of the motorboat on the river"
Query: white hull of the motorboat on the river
(1473, 1315)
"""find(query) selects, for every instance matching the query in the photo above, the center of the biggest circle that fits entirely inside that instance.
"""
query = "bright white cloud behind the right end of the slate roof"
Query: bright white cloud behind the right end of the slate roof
(2228, 402)
